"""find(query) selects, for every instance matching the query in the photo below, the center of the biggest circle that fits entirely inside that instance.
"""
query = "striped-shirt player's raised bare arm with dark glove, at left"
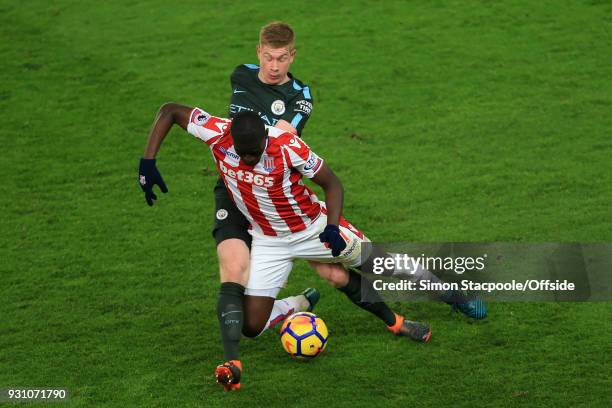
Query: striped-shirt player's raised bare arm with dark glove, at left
(168, 115)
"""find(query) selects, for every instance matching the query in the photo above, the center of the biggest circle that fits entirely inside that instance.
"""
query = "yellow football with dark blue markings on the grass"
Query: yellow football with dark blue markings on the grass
(304, 335)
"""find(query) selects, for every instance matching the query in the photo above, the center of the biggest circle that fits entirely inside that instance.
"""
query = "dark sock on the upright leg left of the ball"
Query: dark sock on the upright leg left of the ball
(229, 313)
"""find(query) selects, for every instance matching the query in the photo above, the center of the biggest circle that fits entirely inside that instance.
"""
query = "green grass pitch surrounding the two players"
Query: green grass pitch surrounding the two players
(446, 121)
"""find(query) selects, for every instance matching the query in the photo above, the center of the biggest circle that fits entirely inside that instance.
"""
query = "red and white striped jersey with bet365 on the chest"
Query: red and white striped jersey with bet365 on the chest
(270, 194)
